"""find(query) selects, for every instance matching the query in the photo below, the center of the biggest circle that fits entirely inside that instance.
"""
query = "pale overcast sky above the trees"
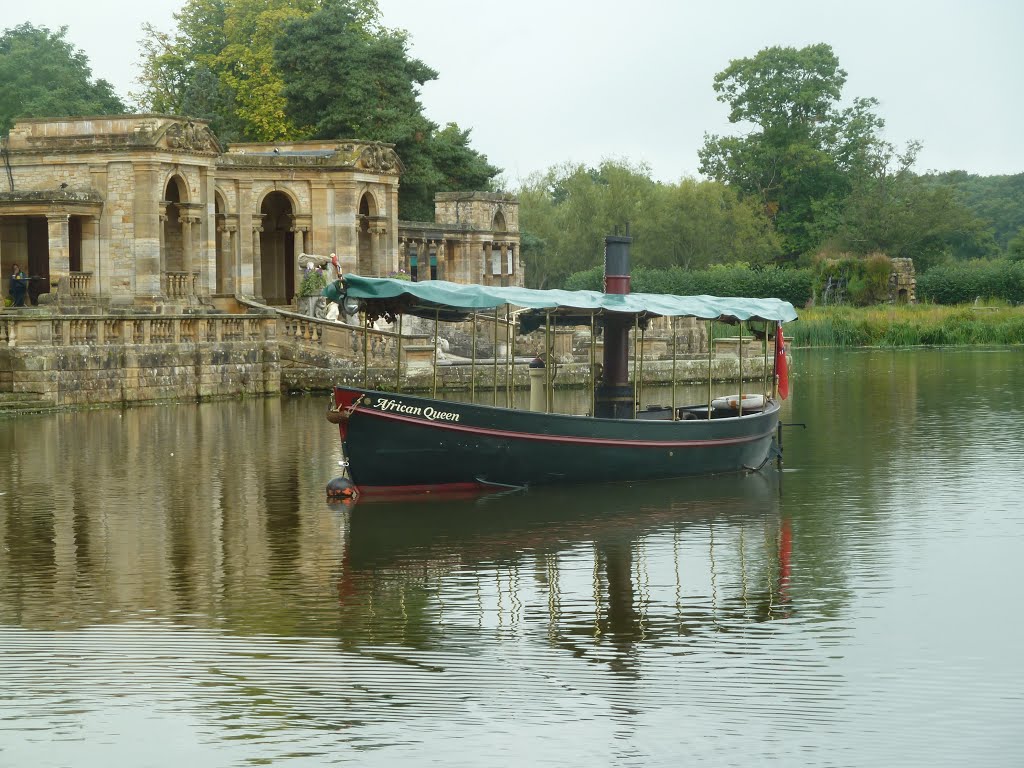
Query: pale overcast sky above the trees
(542, 82)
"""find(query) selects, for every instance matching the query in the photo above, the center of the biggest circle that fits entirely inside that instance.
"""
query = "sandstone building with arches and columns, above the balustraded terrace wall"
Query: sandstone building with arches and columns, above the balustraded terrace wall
(149, 212)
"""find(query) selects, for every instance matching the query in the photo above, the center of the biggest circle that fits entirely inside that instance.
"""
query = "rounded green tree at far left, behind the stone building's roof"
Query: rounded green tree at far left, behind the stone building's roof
(44, 75)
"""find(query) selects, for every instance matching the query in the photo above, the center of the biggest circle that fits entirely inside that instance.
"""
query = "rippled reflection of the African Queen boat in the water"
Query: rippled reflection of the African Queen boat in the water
(590, 566)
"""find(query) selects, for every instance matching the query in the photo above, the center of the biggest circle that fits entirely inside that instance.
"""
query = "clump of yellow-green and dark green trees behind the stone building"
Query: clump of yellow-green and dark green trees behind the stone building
(285, 70)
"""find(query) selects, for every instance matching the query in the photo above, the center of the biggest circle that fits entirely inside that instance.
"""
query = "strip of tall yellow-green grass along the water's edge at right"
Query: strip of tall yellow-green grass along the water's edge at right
(908, 326)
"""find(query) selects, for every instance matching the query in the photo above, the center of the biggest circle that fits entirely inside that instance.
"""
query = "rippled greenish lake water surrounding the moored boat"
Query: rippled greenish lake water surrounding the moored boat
(176, 590)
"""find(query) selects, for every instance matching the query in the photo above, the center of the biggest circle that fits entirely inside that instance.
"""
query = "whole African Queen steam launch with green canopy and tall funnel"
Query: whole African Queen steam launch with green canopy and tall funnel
(397, 442)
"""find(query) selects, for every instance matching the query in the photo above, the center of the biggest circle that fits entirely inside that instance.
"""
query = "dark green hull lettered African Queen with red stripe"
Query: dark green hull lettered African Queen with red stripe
(399, 443)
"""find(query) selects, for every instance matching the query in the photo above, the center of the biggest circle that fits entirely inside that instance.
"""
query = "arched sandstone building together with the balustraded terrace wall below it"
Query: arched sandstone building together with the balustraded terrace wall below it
(141, 231)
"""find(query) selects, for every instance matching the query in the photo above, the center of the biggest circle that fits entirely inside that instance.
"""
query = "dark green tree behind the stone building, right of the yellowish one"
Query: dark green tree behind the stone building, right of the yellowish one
(347, 78)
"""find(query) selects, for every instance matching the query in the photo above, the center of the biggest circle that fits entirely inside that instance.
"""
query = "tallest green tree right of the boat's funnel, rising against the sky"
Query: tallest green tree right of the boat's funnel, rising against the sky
(800, 152)
